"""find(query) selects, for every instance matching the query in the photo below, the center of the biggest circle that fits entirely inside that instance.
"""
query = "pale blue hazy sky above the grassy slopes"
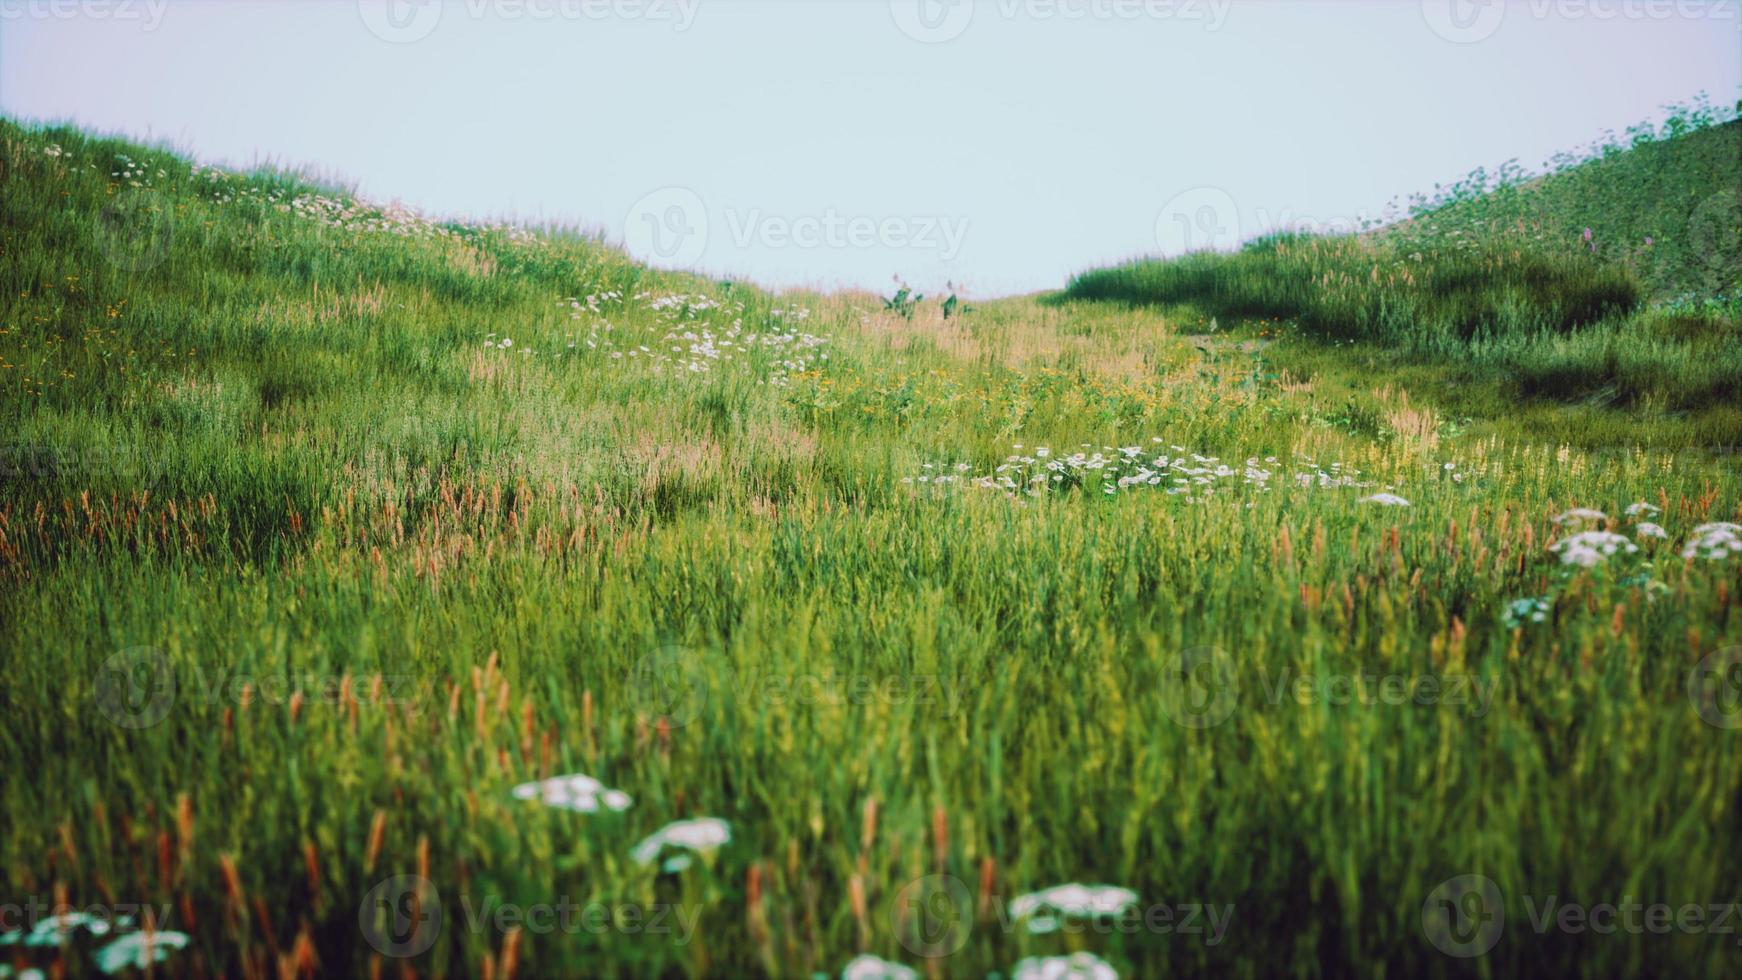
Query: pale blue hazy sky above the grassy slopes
(1003, 145)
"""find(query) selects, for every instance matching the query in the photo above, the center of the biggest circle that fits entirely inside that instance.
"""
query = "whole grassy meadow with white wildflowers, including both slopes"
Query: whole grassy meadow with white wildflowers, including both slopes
(396, 598)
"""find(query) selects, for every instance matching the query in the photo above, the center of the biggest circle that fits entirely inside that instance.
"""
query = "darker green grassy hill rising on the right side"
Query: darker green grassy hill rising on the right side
(1610, 283)
